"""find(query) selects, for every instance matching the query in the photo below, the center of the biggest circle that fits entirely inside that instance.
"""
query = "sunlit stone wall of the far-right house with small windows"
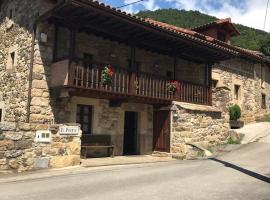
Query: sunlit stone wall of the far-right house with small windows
(247, 76)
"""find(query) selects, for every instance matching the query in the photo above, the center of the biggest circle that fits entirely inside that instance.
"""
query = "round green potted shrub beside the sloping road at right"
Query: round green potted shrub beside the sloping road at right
(235, 114)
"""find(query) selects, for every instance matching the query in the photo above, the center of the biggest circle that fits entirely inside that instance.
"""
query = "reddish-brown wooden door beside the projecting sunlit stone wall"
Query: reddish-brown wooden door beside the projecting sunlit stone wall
(161, 139)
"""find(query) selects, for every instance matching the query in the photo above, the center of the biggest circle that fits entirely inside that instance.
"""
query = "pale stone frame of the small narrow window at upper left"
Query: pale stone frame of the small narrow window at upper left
(12, 59)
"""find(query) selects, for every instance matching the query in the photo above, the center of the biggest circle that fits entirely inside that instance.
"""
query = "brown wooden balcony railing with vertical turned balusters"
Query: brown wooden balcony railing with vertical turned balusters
(138, 84)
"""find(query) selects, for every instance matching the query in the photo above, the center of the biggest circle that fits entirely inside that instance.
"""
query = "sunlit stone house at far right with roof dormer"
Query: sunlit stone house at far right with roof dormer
(245, 78)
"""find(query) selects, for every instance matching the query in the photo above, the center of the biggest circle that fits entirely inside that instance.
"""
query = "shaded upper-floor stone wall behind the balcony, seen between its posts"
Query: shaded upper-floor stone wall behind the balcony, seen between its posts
(118, 55)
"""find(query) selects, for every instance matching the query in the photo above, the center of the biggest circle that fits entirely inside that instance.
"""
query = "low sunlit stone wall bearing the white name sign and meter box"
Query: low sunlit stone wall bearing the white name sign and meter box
(19, 152)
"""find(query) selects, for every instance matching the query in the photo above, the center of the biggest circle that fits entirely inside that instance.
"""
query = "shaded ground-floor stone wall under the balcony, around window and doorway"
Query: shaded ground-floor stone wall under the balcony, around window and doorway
(108, 120)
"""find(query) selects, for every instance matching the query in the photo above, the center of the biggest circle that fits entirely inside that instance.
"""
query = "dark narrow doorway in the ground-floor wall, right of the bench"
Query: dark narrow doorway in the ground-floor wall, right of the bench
(130, 133)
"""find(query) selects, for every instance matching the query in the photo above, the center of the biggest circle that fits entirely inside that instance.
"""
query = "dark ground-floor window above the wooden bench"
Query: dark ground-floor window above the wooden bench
(84, 118)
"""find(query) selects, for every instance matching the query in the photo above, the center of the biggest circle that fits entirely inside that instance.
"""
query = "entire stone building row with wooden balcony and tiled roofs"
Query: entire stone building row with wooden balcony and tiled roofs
(52, 57)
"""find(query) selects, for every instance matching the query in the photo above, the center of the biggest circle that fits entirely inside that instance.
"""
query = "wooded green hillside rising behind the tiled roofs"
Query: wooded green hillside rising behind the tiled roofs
(250, 38)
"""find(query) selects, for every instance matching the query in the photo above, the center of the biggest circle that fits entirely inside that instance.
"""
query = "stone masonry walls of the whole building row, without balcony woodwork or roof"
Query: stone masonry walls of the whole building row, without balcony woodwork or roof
(19, 151)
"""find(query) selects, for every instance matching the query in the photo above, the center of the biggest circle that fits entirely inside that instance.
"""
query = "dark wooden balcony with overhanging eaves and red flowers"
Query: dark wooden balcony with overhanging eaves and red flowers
(150, 64)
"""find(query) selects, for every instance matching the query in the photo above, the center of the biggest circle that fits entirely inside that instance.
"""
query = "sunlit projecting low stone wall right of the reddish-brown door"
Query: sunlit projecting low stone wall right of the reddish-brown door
(195, 124)
